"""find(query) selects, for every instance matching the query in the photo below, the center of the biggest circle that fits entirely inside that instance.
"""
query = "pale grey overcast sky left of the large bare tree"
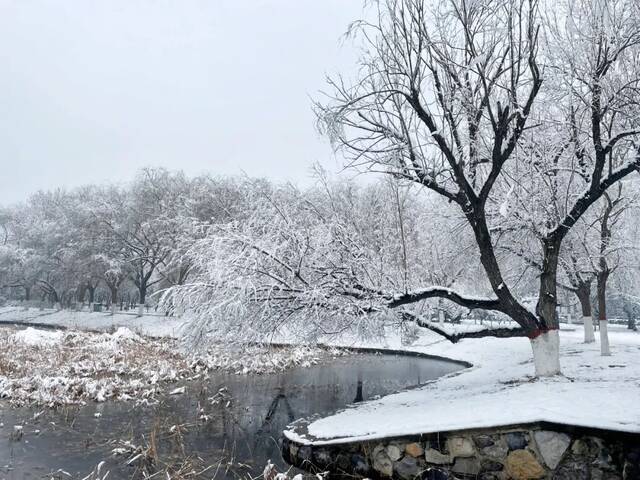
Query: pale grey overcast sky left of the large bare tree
(92, 91)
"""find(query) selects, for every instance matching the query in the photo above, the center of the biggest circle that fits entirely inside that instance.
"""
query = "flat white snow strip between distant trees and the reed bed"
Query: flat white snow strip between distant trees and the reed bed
(149, 324)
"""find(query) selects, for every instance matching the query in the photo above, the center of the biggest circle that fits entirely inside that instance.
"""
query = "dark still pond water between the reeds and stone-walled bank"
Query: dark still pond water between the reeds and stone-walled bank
(240, 432)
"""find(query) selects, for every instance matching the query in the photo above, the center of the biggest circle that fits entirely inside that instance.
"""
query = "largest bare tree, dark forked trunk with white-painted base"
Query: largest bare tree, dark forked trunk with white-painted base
(445, 99)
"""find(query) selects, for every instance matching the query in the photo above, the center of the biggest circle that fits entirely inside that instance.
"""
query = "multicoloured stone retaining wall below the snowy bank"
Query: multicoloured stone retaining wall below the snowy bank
(536, 451)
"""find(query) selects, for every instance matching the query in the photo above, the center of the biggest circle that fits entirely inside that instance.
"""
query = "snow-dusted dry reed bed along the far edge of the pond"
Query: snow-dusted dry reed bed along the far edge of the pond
(66, 367)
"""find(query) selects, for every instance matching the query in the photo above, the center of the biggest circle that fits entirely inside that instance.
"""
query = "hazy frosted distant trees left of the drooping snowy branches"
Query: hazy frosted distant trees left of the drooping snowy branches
(115, 244)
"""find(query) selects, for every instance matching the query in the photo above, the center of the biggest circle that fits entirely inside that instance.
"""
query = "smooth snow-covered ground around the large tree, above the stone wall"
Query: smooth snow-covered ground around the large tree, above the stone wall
(499, 389)
